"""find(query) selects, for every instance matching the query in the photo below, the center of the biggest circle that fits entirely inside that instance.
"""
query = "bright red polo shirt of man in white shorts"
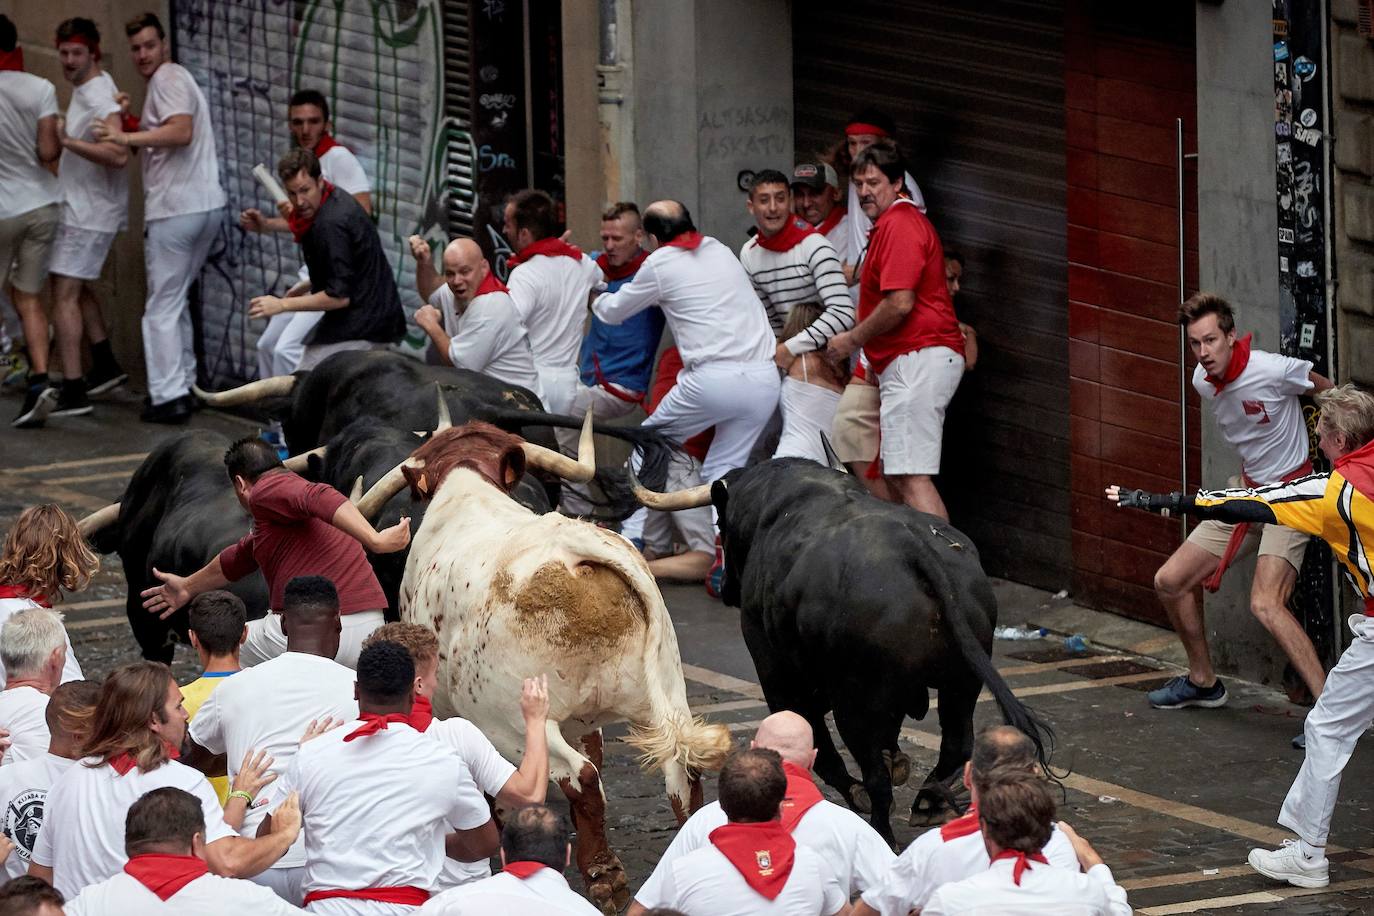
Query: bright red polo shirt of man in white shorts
(905, 253)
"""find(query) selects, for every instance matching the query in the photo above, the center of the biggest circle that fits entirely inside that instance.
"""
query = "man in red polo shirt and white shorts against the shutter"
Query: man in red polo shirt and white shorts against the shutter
(908, 329)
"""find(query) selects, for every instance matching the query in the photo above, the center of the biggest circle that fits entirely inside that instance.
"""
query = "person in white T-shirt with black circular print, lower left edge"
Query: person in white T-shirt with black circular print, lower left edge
(24, 788)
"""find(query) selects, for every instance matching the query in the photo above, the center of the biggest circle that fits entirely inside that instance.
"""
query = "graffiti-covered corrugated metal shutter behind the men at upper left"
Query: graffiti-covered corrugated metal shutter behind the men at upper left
(380, 64)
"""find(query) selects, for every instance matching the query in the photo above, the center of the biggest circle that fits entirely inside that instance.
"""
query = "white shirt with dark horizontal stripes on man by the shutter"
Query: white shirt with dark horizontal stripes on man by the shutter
(807, 273)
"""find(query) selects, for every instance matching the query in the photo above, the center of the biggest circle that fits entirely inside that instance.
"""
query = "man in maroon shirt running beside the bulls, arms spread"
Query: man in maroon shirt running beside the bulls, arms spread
(299, 529)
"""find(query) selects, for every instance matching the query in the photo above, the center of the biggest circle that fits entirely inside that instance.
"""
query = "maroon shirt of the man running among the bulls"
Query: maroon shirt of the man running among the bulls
(293, 536)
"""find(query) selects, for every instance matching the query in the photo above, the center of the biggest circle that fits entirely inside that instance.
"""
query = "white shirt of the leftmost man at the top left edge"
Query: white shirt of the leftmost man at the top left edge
(24, 101)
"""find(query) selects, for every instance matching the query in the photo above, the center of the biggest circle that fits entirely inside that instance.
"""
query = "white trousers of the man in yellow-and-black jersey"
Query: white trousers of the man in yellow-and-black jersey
(1342, 715)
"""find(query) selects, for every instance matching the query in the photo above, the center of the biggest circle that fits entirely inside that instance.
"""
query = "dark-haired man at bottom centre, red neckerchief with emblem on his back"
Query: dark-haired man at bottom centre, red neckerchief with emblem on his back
(752, 865)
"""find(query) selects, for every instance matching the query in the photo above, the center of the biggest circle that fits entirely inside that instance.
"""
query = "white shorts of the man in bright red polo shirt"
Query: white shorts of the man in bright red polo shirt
(914, 391)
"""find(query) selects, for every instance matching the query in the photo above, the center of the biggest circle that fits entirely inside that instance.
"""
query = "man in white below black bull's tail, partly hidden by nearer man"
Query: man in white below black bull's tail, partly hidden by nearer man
(956, 851)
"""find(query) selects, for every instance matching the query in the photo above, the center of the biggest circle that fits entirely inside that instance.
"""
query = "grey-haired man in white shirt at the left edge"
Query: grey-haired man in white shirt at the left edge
(34, 646)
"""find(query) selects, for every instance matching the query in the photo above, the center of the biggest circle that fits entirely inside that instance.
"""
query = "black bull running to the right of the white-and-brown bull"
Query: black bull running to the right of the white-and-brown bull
(859, 606)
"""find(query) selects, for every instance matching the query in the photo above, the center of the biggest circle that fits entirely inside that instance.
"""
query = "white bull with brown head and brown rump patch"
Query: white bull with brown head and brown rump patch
(513, 594)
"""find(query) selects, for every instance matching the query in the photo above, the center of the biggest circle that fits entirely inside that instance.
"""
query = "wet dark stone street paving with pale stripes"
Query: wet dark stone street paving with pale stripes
(1173, 800)
